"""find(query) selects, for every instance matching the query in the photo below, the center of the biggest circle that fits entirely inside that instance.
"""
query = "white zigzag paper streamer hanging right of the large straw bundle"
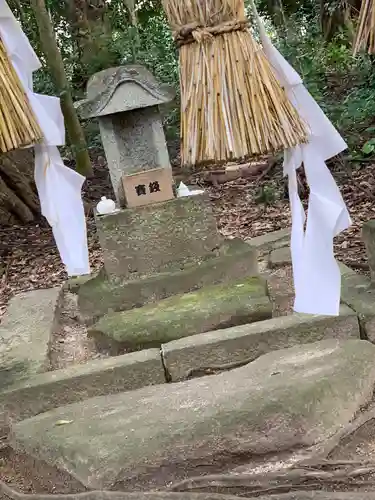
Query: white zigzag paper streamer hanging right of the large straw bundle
(317, 278)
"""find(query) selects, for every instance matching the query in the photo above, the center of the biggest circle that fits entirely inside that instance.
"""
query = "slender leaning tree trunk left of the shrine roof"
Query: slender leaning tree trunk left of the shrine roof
(56, 66)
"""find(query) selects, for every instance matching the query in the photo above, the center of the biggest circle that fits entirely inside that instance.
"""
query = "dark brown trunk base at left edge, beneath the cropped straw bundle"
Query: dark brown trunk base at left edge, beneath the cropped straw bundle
(19, 202)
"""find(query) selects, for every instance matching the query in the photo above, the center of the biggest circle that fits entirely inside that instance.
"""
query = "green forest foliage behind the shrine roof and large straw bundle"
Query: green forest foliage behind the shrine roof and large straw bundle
(314, 36)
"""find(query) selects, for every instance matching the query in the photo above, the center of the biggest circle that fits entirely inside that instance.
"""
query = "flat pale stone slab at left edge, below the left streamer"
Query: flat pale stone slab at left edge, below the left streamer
(25, 334)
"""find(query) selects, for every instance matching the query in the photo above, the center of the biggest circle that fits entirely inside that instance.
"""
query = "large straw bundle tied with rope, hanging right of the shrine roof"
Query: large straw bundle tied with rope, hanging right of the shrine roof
(232, 106)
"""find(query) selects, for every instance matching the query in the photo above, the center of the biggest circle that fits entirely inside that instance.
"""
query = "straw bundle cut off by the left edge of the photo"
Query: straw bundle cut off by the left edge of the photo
(18, 125)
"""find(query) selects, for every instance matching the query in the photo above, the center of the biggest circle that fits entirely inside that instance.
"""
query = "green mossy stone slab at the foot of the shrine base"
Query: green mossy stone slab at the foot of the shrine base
(209, 308)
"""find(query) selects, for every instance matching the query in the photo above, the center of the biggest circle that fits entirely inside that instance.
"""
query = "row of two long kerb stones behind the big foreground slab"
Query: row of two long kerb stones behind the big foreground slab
(45, 391)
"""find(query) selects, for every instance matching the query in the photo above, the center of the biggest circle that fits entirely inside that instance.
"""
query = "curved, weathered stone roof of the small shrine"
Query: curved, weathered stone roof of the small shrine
(120, 89)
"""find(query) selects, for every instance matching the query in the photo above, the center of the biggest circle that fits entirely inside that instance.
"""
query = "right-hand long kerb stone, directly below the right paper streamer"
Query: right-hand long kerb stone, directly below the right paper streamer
(248, 342)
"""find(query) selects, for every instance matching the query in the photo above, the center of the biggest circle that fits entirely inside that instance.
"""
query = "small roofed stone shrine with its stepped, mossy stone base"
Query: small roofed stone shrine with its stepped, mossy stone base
(156, 245)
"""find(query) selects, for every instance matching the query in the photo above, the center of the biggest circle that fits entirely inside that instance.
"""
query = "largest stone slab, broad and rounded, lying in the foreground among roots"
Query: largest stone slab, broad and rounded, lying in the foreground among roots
(148, 438)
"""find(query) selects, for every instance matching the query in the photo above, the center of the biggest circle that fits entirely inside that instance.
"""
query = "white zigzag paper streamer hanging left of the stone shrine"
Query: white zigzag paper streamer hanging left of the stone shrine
(59, 187)
